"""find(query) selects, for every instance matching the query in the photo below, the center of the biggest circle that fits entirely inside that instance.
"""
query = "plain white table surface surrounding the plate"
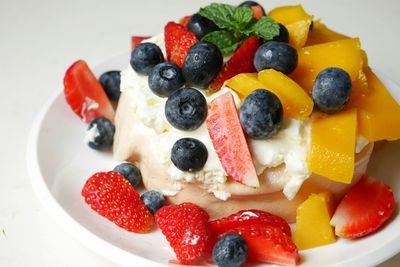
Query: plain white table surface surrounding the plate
(40, 39)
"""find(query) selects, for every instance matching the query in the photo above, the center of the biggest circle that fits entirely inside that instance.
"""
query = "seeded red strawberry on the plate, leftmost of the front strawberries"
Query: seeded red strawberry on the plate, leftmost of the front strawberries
(112, 196)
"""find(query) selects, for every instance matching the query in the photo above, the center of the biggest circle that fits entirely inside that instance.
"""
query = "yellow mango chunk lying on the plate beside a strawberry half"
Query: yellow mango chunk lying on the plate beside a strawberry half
(312, 221)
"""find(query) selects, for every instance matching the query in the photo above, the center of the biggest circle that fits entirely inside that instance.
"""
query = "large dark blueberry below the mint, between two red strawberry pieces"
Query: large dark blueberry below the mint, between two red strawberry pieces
(202, 63)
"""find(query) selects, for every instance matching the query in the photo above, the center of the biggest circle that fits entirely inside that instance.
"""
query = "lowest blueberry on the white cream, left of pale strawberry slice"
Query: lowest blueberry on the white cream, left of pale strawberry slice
(189, 154)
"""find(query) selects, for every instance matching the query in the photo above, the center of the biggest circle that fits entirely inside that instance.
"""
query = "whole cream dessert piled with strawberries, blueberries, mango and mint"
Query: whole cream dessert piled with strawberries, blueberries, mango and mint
(238, 123)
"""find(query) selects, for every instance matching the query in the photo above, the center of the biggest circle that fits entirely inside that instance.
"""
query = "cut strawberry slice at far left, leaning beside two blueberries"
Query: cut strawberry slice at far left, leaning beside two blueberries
(84, 93)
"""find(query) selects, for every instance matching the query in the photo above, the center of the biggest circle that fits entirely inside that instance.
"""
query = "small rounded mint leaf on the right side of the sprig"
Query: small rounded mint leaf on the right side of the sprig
(265, 27)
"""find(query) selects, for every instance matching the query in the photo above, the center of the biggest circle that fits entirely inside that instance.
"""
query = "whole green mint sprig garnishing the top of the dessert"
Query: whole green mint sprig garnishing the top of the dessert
(236, 24)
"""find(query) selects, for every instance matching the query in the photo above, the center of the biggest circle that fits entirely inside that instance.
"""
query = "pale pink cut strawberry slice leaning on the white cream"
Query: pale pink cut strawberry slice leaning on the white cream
(229, 141)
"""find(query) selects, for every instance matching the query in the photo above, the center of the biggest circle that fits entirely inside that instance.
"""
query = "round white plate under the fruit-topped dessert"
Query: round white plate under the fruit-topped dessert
(59, 164)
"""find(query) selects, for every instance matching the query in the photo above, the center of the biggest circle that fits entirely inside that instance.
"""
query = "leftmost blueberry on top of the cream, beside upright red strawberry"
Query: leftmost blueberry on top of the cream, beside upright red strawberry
(145, 56)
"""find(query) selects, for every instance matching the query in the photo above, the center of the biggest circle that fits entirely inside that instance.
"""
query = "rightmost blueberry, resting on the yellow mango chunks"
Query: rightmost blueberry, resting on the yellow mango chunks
(331, 90)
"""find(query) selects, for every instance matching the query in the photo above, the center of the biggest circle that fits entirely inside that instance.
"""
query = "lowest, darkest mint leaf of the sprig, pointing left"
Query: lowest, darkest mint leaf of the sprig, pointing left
(225, 41)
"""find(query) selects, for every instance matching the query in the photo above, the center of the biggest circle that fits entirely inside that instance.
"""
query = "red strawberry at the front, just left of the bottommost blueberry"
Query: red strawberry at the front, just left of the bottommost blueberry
(186, 229)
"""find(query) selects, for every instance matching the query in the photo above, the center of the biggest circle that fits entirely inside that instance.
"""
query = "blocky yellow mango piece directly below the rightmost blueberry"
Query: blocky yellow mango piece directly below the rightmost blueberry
(333, 140)
